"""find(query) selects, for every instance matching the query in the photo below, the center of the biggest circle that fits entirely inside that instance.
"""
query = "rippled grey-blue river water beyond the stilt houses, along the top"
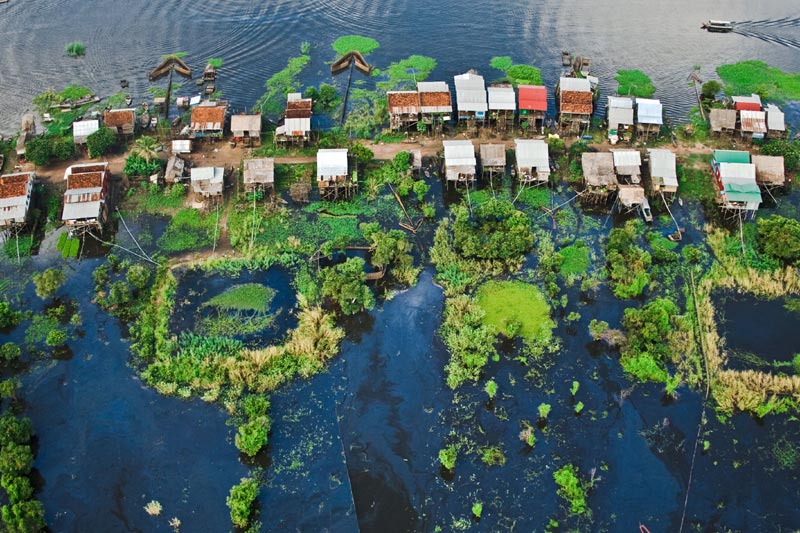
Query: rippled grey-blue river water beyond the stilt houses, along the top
(255, 39)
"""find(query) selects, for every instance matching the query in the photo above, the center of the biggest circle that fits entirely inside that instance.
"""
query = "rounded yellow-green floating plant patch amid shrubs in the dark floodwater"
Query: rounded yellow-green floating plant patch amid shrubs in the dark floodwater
(515, 308)
